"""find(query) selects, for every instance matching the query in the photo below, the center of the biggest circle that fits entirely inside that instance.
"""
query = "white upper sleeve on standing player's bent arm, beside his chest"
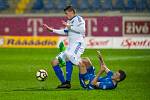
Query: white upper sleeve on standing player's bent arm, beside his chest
(79, 25)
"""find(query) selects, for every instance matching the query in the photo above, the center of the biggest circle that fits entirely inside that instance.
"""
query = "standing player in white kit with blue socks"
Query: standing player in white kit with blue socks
(75, 29)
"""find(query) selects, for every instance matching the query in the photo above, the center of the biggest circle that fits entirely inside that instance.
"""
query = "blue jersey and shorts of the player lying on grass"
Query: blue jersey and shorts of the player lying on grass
(103, 82)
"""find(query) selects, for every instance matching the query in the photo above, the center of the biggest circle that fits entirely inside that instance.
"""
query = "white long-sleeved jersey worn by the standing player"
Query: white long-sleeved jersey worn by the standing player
(76, 33)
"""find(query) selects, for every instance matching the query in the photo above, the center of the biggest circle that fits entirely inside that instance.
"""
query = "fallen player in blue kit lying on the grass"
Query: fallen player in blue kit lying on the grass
(89, 80)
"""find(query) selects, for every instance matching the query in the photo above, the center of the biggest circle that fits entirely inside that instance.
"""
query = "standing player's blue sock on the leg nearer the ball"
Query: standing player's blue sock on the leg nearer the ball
(59, 73)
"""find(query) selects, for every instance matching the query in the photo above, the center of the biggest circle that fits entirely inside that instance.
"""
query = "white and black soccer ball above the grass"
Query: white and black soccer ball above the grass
(41, 75)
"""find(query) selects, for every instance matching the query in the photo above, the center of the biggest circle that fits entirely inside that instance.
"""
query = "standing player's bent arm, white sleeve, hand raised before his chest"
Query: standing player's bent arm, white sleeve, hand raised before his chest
(79, 26)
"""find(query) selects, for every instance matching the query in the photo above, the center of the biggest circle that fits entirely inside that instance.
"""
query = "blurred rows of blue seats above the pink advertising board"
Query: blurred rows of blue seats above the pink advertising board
(88, 6)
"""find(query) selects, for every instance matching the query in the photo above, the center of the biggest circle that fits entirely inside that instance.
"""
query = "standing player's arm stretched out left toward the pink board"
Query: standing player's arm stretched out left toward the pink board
(61, 31)
